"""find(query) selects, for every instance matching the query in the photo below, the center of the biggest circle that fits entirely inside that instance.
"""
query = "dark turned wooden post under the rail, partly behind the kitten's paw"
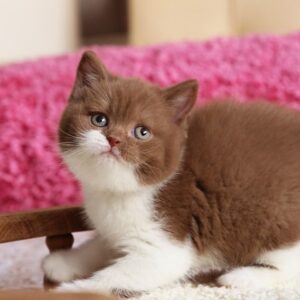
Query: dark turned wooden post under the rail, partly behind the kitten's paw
(54, 243)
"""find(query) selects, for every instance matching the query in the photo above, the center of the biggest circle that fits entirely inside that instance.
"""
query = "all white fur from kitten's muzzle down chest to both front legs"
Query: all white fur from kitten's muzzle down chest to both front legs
(121, 210)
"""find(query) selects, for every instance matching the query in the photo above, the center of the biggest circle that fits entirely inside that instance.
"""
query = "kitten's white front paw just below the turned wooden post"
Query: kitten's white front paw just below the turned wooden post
(58, 268)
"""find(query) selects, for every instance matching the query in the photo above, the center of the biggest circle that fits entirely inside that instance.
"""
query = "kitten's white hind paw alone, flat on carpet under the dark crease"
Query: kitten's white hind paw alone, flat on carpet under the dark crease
(248, 277)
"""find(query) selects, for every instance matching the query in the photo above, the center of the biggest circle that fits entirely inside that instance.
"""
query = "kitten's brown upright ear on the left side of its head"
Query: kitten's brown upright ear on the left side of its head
(90, 72)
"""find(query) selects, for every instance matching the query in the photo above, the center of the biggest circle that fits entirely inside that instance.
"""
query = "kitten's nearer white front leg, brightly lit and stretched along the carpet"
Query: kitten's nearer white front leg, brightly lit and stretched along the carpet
(141, 270)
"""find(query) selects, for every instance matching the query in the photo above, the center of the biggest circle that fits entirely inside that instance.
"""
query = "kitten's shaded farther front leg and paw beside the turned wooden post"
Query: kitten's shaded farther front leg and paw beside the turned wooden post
(66, 265)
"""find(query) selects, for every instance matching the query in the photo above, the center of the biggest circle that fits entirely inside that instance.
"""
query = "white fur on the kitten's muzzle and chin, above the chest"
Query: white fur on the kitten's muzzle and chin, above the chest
(98, 170)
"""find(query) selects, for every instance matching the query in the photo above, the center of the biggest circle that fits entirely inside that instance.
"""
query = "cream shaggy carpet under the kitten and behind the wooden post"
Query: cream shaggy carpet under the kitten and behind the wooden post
(20, 268)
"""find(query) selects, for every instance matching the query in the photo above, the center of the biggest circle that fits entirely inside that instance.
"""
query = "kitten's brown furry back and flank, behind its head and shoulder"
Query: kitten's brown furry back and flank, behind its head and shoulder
(245, 159)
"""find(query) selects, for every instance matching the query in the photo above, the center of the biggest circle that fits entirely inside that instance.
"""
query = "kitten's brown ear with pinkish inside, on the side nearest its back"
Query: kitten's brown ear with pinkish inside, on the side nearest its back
(181, 98)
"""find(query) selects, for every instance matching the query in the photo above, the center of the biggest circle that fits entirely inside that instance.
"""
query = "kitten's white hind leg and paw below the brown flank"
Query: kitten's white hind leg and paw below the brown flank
(281, 266)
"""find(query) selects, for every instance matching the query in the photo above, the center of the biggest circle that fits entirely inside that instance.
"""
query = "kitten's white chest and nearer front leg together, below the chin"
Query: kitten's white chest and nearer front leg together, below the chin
(124, 222)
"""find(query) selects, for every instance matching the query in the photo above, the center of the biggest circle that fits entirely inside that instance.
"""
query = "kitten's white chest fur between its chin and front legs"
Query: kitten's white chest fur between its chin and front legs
(123, 218)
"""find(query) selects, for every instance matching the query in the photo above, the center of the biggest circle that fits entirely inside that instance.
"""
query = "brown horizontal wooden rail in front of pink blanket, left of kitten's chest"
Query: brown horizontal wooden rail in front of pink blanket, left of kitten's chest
(56, 221)
